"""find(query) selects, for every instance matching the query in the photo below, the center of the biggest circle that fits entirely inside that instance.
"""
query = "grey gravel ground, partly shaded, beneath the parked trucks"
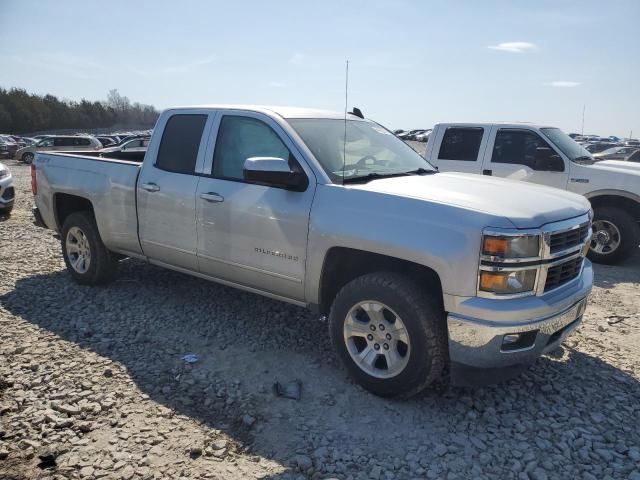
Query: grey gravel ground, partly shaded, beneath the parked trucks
(93, 385)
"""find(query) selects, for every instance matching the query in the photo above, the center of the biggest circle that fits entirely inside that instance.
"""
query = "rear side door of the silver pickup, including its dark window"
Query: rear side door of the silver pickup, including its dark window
(166, 191)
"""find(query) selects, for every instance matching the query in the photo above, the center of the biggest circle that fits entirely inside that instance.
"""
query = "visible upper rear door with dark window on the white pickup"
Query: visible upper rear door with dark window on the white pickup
(459, 148)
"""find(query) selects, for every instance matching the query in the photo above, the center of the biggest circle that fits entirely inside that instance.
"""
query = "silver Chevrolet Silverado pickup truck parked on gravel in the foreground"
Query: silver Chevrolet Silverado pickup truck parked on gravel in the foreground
(417, 271)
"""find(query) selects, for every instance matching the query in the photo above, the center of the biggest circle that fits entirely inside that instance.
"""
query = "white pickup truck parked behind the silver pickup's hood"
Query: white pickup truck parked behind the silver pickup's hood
(547, 156)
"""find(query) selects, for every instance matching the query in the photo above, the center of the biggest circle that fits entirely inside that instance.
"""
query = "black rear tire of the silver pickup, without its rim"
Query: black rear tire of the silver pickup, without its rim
(102, 265)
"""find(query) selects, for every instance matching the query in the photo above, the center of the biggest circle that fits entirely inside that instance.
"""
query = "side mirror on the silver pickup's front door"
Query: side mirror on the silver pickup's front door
(274, 172)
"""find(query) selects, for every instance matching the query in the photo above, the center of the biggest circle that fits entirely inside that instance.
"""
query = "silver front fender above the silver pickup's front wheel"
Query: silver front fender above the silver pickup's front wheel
(443, 237)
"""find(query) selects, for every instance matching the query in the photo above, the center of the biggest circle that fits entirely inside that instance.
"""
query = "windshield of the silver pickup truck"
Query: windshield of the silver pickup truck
(371, 151)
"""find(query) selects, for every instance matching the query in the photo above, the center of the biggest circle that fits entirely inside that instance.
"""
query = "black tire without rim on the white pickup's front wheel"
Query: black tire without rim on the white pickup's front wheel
(629, 235)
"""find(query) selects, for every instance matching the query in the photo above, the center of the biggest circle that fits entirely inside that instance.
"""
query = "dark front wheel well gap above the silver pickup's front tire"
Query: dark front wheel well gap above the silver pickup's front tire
(342, 265)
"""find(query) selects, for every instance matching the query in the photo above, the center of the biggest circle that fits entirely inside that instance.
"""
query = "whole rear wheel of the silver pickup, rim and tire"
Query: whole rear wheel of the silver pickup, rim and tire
(87, 259)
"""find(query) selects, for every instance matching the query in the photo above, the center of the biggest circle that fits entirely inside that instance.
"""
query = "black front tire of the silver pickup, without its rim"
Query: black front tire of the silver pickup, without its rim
(423, 318)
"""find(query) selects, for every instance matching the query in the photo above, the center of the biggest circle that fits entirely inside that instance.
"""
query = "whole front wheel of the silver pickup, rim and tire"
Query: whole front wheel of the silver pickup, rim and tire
(389, 333)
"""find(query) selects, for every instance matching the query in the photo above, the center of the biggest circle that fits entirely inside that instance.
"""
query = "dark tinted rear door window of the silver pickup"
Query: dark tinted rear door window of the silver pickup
(180, 143)
